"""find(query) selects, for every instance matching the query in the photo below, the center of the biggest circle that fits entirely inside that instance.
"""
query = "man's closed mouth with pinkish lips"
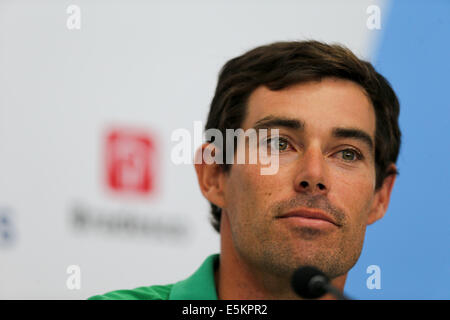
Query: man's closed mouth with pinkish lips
(309, 217)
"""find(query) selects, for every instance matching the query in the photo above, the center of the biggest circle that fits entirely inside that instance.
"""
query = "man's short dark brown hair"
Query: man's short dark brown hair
(283, 64)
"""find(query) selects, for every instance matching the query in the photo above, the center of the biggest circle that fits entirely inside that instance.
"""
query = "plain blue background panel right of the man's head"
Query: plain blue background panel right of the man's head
(411, 244)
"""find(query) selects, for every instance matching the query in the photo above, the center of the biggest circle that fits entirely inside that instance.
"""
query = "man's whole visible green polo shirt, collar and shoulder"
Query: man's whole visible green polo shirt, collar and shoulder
(199, 286)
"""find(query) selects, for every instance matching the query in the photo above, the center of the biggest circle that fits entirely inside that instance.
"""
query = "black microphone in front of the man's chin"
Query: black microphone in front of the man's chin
(311, 283)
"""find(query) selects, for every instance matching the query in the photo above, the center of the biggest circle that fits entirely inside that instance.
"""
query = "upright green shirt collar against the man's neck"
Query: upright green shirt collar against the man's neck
(200, 285)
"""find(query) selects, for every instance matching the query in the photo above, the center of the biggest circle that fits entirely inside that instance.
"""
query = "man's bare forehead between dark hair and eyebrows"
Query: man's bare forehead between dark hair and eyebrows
(324, 104)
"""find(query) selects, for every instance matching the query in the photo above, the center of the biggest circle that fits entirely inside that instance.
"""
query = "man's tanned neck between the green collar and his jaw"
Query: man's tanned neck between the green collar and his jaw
(237, 280)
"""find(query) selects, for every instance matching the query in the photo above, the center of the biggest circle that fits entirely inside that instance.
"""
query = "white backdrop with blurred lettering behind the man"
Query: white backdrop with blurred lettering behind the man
(146, 66)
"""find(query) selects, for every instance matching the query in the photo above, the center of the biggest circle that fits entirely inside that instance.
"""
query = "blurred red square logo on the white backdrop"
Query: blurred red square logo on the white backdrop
(130, 161)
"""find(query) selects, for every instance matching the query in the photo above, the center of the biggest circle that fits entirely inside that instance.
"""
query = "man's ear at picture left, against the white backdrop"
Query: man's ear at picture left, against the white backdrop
(210, 176)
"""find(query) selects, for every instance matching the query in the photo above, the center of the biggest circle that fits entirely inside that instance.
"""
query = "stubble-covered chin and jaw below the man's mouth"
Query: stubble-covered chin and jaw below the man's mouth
(279, 252)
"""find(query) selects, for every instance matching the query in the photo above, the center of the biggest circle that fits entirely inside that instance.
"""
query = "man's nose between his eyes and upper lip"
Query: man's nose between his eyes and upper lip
(312, 173)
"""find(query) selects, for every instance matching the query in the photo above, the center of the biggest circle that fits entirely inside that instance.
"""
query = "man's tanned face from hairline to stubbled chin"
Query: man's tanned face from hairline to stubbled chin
(326, 164)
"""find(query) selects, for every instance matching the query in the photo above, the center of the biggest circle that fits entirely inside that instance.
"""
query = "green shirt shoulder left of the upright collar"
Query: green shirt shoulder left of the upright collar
(158, 292)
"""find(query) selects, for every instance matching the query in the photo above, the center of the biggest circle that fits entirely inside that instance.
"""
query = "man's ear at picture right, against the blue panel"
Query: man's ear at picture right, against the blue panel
(382, 197)
